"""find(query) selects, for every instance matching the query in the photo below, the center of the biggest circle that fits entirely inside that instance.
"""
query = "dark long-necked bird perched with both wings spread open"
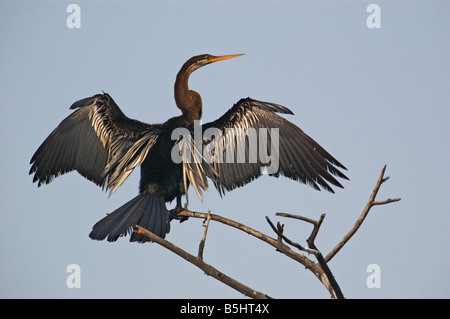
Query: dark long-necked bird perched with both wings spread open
(100, 142)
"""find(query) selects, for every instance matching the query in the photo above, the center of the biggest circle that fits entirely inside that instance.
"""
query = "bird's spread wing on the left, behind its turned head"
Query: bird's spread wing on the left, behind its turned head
(98, 141)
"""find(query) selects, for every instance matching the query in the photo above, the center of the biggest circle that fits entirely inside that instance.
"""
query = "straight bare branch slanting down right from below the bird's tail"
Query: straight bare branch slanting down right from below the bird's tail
(208, 269)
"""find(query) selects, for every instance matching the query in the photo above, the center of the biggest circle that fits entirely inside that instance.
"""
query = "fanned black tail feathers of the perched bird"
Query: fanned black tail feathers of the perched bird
(146, 210)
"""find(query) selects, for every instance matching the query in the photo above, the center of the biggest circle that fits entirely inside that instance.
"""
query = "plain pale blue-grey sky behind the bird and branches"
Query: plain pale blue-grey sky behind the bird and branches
(370, 96)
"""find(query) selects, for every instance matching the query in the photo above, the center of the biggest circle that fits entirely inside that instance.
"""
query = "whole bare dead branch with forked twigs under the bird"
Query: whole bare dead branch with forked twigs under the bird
(319, 269)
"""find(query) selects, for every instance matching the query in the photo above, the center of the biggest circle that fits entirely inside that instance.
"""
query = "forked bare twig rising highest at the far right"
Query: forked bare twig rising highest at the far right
(363, 215)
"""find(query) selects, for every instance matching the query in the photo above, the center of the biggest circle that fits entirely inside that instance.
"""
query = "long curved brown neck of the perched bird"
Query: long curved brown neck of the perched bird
(188, 101)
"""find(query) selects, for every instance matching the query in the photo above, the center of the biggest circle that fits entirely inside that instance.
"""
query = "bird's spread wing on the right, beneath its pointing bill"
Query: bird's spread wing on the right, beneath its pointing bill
(251, 139)
